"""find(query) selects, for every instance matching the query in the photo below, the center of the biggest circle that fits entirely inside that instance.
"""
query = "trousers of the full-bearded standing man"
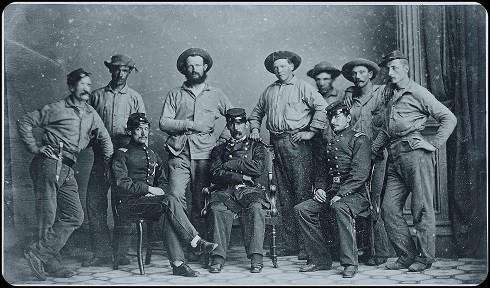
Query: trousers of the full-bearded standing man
(184, 172)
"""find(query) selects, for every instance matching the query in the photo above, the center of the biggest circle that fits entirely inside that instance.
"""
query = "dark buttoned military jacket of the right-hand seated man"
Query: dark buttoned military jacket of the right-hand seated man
(347, 164)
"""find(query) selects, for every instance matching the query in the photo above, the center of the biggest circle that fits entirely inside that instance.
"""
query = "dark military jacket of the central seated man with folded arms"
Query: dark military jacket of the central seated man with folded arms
(229, 162)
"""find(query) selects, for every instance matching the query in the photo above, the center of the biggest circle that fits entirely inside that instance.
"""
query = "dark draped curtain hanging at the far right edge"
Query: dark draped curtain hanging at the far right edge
(454, 41)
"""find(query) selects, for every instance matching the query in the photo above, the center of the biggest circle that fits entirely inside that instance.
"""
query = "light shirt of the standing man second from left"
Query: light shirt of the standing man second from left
(115, 108)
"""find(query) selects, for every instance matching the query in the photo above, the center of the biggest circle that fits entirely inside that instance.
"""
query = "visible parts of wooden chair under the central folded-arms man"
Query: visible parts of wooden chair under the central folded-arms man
(271, 217)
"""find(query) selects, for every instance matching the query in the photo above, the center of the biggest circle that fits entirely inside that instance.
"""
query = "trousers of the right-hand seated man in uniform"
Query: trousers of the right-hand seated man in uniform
(308, 217)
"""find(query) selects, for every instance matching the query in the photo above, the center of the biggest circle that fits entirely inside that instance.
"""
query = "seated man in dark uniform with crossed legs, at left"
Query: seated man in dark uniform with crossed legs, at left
(138, 191)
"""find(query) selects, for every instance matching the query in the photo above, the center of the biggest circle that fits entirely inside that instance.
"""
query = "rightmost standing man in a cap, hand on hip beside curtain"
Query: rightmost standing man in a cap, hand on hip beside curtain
(411, 164)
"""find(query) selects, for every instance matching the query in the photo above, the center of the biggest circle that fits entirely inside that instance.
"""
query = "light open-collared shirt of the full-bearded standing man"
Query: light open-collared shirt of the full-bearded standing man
(181, 107)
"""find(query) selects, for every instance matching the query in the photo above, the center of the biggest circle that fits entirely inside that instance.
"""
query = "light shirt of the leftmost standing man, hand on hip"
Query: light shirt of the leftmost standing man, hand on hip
(64, 122)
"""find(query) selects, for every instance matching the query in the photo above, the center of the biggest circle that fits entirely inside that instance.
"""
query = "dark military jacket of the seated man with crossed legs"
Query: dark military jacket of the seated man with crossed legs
(134, 168)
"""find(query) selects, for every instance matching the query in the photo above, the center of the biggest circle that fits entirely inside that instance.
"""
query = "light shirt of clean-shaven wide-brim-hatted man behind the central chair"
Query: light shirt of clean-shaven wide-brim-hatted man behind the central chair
(295, 105)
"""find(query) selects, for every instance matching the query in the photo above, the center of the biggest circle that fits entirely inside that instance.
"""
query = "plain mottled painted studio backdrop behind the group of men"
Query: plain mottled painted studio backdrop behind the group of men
(44, 42)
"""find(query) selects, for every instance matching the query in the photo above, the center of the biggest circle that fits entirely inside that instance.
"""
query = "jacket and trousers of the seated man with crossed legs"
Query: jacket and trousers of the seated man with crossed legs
(135, 168)
